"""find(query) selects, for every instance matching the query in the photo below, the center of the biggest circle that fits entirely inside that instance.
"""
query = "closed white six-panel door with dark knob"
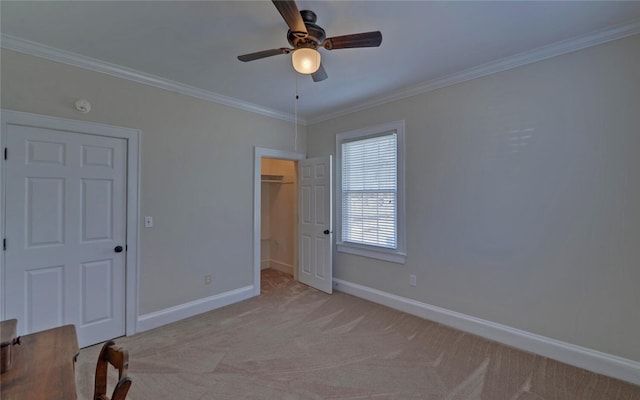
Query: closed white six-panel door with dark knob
(65, 232)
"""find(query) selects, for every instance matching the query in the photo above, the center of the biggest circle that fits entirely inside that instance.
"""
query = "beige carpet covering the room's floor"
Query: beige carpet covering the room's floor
(294, 342)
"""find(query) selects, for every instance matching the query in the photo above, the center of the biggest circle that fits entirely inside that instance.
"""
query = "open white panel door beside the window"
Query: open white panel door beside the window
(315, 267)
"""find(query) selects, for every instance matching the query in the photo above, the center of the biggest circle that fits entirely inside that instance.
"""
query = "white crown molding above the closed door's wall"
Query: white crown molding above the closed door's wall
(66, 57)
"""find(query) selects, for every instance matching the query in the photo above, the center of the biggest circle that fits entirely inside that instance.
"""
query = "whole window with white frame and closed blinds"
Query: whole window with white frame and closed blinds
(370, 187)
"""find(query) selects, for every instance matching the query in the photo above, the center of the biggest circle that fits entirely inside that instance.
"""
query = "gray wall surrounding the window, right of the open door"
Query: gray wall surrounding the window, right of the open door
(523, 198)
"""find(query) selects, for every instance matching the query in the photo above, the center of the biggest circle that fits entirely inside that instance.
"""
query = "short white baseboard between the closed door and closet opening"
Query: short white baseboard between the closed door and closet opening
(173, 314)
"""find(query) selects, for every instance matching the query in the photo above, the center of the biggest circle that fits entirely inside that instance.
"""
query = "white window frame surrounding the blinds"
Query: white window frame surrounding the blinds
(399, 254)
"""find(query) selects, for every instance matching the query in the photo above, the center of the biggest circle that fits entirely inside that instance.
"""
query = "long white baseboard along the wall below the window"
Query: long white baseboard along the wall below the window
(582, 357)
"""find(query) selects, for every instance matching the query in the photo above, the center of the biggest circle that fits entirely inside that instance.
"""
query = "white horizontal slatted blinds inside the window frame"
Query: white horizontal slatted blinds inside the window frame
(369, 191)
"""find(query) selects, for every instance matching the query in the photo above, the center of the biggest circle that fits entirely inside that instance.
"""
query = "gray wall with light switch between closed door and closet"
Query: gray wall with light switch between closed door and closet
(196, 171)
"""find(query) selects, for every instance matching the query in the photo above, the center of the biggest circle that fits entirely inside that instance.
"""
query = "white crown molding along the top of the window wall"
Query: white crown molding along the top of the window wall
(517, 60)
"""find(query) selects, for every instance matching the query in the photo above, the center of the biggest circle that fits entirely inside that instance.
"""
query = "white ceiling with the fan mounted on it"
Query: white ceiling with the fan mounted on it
(195, 44)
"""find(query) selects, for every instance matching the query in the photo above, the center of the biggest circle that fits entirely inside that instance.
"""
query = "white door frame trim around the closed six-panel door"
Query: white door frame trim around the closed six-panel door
(132, 137)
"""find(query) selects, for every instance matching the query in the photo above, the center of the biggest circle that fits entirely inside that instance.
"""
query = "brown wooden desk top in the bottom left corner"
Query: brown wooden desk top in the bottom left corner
(43, 367)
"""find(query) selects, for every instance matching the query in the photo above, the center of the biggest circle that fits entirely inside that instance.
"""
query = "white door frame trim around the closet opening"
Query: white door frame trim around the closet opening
(258, 154)
